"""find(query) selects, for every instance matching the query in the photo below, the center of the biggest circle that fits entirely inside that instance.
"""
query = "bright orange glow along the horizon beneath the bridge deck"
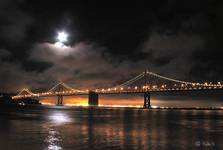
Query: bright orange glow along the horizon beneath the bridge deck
(133, 101)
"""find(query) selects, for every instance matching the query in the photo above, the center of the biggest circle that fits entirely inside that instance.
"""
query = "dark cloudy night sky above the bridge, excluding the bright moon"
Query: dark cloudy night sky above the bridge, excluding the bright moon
(108, 42)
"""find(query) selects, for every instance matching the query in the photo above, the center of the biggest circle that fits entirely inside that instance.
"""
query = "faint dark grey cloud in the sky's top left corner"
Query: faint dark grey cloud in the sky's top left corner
(15, 22)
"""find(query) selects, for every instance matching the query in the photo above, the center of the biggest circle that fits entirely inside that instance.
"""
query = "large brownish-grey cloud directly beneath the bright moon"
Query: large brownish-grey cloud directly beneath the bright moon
(83, 64)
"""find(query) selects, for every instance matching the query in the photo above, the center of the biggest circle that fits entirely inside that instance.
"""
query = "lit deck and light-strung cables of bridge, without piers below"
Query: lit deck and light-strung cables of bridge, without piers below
(126, 87)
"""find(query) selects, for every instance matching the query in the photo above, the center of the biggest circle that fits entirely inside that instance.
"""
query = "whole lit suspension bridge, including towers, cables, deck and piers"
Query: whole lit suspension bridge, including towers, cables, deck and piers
(146, 83)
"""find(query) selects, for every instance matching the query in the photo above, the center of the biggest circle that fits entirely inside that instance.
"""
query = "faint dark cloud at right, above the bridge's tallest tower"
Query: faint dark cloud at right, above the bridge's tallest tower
(172, 53)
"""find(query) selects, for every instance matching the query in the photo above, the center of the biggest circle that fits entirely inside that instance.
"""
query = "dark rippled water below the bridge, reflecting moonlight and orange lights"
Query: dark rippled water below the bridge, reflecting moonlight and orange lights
(70, 128)
